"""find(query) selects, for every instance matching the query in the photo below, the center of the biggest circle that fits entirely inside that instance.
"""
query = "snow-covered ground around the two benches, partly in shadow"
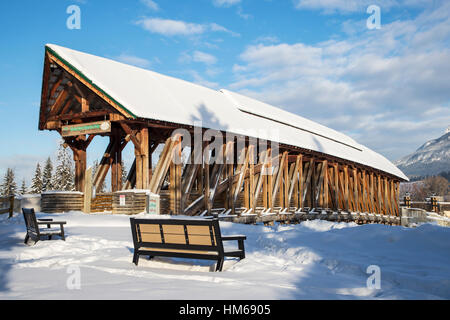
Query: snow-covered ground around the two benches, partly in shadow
(312, 260)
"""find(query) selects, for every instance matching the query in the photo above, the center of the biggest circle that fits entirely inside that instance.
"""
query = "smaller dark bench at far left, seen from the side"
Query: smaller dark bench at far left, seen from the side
(34, 231)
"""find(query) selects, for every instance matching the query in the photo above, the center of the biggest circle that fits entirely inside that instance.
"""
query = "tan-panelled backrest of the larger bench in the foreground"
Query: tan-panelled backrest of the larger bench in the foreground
(200, 235)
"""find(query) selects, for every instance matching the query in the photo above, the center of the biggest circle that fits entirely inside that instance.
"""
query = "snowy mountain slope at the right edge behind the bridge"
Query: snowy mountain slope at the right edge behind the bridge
(431, 158)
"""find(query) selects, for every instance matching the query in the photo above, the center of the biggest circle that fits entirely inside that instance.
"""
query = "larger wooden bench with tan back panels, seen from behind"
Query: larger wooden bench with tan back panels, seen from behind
(194, 239)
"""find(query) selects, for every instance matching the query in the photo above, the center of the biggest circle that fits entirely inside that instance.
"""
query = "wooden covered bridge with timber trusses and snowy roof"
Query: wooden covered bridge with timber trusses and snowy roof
(269, 161)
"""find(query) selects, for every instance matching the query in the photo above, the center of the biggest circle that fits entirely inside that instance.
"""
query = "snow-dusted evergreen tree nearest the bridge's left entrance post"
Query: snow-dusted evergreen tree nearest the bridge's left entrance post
(64, 177)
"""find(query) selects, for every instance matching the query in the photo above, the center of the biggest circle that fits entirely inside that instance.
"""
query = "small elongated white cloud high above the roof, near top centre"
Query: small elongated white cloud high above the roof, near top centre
(169, 27)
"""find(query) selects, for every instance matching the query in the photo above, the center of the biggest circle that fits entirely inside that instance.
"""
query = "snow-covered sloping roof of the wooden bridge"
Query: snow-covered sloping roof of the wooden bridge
(150, 95)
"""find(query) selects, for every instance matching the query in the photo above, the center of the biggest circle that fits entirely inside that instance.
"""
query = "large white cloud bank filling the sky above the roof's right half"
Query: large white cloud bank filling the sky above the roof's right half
(375, 86)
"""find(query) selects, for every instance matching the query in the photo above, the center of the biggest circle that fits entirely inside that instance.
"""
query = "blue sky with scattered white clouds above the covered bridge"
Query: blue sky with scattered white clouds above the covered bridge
(388, 88)
